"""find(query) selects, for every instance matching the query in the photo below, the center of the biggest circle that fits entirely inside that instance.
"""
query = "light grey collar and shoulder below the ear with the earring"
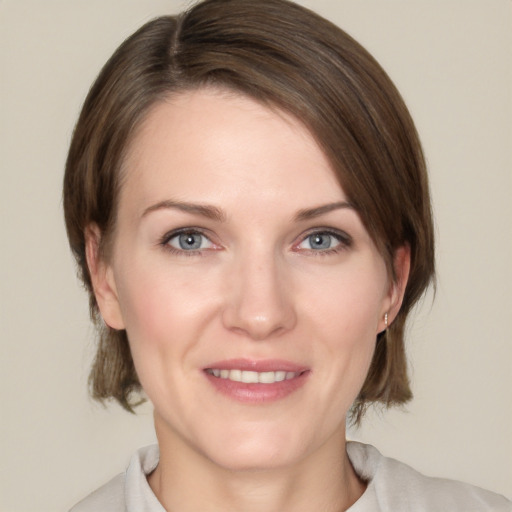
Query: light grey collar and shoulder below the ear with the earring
(396, 486)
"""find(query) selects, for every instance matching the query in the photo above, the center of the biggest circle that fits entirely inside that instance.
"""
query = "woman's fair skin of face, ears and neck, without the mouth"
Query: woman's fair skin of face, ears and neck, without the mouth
(259, 287)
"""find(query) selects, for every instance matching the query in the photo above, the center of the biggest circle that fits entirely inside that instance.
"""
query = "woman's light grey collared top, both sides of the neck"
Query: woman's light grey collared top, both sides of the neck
(392, 487)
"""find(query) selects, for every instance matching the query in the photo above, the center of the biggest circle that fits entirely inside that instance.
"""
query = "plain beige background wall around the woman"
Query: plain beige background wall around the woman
(452, 61)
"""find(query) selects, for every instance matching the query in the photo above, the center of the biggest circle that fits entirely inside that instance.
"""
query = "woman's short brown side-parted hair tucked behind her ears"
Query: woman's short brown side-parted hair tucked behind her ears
(284, 56)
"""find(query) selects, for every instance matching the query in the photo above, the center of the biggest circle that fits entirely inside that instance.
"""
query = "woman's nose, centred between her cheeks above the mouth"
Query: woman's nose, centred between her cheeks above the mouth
(260, 299)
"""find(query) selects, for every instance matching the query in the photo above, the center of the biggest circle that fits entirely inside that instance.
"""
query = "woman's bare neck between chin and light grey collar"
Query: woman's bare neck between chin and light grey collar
(186, 481)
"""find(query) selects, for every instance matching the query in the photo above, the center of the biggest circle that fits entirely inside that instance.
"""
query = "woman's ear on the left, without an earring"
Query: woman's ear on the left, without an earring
(102, 278)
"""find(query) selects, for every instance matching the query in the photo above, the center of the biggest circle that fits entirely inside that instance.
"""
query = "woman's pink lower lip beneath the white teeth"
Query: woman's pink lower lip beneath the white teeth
(257, 393)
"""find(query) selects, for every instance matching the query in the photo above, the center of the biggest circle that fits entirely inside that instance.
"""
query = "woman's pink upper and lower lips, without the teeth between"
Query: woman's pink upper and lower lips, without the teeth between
(257, 393)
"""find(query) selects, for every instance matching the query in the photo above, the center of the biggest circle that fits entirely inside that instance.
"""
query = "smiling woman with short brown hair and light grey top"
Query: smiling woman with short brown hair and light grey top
(246, 197)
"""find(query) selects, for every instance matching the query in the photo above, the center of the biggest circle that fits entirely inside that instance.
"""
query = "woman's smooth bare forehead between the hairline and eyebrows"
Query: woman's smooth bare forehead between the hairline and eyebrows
(207, 144)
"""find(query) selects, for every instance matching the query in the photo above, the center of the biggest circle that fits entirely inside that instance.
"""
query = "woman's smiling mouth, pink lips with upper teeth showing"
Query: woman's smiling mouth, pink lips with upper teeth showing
(256, 381)
